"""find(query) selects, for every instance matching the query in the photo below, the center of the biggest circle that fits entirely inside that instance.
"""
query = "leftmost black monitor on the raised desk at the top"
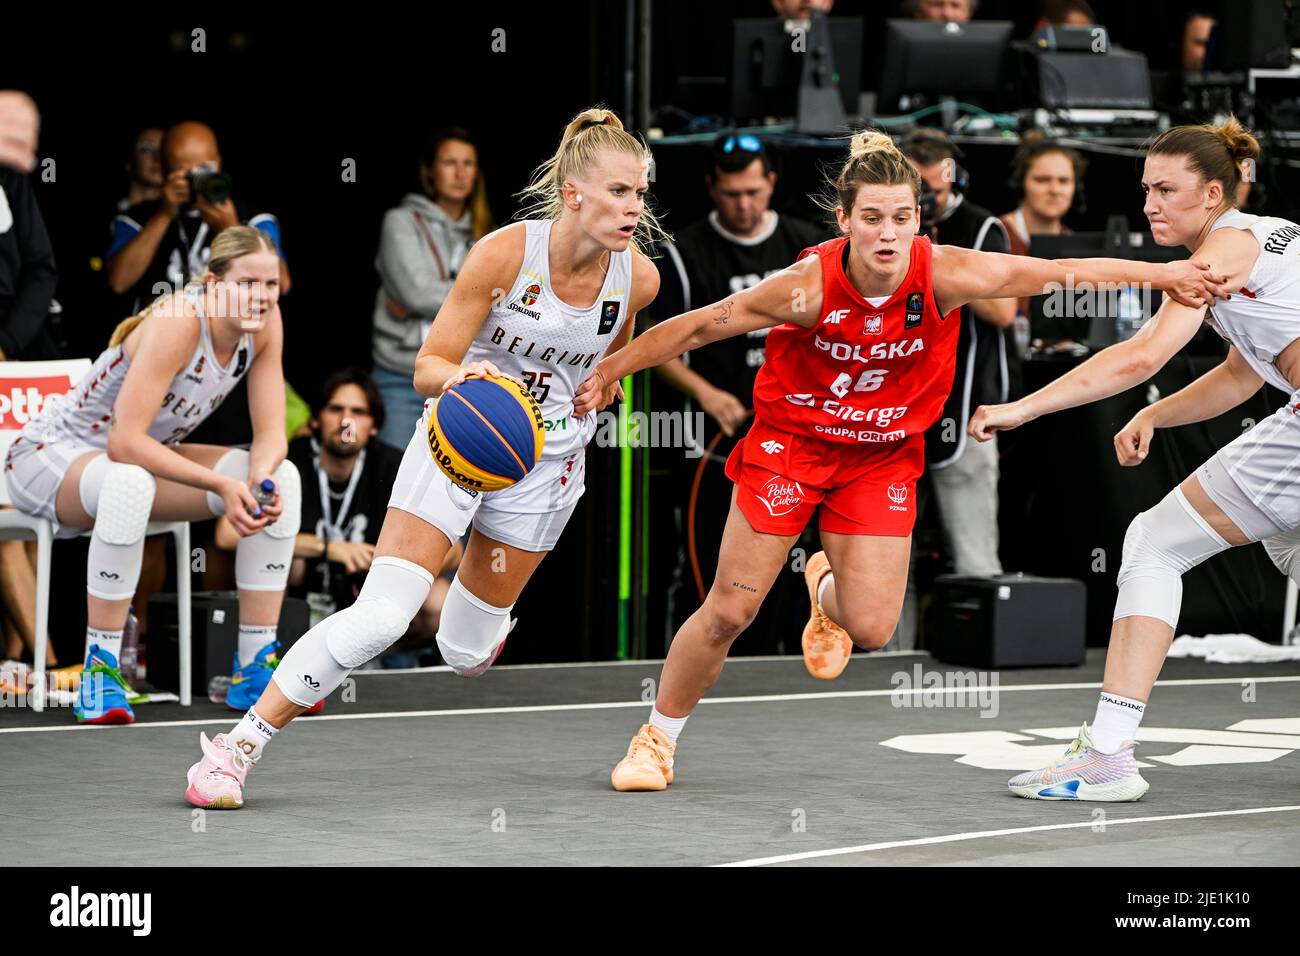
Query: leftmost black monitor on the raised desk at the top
(768, 67)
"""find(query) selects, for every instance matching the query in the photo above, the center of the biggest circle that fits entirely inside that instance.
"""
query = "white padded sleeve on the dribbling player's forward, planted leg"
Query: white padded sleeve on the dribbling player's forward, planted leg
(393, 594)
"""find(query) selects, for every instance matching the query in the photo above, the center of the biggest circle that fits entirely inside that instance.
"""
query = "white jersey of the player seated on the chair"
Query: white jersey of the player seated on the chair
(84, 416)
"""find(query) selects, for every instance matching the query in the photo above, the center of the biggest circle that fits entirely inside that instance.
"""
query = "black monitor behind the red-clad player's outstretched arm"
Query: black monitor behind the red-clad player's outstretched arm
(1097, 317)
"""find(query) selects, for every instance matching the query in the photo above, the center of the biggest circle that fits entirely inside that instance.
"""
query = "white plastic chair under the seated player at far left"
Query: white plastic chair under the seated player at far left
(58, 378)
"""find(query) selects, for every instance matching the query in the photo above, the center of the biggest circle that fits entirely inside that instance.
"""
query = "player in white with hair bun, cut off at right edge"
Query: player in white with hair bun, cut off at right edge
(1250, 491)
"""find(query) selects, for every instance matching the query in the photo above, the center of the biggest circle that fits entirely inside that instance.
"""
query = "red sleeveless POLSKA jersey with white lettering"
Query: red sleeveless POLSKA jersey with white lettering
(864, 374)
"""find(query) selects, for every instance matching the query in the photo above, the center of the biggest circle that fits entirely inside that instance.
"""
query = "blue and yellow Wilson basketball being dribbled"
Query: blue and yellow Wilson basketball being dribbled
(487, 434)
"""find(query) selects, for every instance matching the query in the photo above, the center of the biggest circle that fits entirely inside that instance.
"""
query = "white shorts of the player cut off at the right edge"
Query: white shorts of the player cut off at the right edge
(1264, 464)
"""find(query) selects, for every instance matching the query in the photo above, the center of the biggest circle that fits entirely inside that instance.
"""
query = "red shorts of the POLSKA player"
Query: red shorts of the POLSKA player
(863, 490)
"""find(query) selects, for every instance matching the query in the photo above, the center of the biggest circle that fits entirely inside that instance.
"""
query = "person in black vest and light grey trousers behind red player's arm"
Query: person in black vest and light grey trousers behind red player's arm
(965, 473)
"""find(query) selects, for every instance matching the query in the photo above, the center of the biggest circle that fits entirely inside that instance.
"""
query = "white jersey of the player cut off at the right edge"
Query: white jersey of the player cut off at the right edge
(1264, 317)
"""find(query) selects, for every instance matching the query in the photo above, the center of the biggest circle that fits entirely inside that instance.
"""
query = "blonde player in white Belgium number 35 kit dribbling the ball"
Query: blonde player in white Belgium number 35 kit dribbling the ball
(541, 301)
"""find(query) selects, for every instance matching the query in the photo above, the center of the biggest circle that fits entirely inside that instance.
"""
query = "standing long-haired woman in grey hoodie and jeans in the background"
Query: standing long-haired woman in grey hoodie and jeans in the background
(423, 245)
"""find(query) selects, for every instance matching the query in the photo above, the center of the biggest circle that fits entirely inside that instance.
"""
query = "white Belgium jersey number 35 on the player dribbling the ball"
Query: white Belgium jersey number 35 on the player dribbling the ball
(549, 344)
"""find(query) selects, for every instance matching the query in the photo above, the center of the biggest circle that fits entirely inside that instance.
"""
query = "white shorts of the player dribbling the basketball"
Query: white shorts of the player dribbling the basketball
(528, 516)
